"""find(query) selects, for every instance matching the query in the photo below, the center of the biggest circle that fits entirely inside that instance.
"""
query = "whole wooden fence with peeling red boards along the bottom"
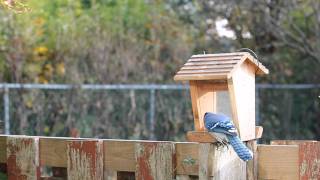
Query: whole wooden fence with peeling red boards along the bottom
(28, 157)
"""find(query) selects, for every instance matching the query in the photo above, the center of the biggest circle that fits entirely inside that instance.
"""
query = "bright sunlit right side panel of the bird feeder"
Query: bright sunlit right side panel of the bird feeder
(242, 96)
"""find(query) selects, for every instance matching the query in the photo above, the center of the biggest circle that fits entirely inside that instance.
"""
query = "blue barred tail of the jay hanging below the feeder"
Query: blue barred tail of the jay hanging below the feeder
(241, 149)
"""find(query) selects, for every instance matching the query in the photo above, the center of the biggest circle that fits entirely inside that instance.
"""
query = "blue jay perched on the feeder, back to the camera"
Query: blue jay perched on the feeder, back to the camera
(222, 128)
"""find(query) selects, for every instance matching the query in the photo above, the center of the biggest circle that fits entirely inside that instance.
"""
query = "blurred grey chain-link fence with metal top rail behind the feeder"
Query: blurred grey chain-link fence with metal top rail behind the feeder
(158, 112)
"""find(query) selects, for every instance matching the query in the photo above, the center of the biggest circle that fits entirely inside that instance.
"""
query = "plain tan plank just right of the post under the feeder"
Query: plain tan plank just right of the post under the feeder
(278, 162)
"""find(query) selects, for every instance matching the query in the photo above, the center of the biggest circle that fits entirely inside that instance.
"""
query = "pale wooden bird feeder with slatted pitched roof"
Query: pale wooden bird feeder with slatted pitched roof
(232, 72)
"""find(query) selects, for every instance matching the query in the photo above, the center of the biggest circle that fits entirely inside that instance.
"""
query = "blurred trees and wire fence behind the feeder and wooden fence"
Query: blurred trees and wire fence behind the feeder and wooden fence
(145, 42)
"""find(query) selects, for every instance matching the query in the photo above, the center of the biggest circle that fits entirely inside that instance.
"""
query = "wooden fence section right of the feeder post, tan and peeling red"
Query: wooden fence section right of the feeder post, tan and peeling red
(289, 159)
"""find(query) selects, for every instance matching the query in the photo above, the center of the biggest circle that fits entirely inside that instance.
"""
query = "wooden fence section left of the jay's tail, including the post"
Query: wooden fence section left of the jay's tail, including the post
(107, 158)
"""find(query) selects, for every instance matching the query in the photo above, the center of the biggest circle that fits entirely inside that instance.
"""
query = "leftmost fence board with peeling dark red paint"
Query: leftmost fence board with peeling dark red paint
(23, 158)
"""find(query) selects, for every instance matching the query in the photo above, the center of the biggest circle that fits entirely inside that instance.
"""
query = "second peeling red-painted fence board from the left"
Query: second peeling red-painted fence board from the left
(85, 159)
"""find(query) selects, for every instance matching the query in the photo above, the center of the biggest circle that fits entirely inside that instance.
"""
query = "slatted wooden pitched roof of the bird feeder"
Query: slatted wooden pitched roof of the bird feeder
(216, 66)
